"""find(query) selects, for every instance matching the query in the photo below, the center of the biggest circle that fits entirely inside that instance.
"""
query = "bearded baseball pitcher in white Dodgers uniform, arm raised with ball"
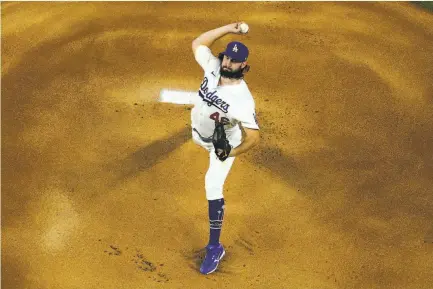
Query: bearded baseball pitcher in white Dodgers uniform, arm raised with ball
(222, 106)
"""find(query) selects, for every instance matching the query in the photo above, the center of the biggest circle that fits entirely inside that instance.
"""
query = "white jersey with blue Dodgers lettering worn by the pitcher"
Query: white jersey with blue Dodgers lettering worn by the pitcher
(230, 104)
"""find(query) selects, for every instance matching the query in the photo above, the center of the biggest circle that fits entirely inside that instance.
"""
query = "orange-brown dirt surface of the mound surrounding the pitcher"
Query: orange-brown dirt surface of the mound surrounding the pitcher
(102, 186)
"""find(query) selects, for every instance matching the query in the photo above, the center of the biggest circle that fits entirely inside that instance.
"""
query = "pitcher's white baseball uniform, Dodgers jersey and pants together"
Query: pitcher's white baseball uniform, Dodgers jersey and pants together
(231, 104)
